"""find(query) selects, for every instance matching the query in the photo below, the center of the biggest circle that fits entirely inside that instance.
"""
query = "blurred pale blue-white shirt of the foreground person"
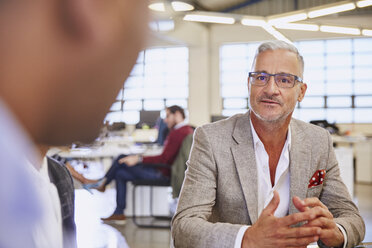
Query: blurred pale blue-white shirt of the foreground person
(29, 211)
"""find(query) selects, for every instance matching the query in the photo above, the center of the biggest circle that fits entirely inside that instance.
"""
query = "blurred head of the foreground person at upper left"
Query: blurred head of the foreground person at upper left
(63, 62)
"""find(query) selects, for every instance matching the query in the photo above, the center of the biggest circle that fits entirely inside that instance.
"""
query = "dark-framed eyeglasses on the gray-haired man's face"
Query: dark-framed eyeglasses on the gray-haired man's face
(282, 80)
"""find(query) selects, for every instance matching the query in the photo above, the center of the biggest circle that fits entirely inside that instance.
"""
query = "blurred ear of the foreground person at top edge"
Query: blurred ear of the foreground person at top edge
(76, 17)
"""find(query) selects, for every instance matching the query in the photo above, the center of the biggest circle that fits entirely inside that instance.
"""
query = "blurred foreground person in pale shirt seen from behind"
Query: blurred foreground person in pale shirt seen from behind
(63, 62)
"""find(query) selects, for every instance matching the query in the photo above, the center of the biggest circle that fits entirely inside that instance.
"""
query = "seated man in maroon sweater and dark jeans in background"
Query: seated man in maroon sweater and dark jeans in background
(133, 167)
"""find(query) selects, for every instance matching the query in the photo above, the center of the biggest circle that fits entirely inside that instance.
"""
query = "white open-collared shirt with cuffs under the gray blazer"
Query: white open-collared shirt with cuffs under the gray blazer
(281, 185)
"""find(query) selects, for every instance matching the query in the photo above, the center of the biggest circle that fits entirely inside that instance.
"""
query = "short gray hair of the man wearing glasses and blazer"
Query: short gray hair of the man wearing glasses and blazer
(279, 45)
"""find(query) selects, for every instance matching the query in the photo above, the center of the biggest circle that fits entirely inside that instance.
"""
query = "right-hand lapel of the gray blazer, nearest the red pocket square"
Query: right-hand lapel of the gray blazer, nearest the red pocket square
(299, 165)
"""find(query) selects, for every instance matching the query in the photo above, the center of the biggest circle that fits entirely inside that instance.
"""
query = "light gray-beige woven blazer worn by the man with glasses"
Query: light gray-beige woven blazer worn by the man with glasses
(219, 193)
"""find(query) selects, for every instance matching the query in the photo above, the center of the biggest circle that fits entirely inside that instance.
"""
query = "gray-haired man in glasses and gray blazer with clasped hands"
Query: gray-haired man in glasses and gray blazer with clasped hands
(264, 179)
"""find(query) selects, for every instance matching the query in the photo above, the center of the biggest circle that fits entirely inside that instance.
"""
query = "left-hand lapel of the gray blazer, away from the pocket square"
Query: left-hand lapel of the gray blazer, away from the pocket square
(245, 162)
